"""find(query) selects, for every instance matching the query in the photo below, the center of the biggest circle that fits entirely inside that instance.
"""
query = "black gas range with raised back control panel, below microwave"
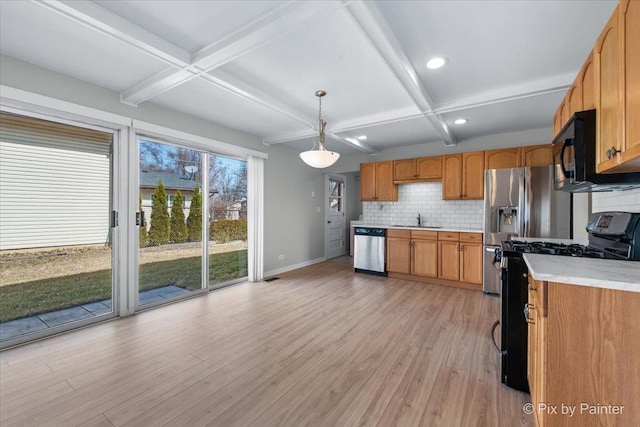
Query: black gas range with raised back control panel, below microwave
(612, 235)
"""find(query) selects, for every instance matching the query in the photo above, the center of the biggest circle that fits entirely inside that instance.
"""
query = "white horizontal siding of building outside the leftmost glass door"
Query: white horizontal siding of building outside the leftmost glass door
(54, 185)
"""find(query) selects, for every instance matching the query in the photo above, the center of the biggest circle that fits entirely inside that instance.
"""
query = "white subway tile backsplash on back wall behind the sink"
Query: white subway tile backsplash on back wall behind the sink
(424, 198)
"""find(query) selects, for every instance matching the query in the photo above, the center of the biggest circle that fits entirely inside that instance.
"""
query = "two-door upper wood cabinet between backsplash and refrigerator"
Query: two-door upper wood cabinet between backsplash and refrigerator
(463, 176)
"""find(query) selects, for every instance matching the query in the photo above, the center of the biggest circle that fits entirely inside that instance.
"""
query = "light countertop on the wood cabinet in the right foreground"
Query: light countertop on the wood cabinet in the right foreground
(599, 273)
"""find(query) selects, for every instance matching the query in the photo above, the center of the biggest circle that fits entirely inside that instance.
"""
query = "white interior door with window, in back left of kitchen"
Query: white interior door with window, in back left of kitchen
(335, 227)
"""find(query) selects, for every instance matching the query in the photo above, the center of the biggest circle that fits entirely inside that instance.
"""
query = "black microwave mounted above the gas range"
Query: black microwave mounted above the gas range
(574, 159)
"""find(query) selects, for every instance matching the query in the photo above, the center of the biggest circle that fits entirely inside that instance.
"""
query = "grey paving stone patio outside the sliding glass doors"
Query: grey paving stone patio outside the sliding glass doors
(27, 325)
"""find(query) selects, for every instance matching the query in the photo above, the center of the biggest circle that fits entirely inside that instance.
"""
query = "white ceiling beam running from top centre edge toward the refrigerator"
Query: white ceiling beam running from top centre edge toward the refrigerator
(373, 26)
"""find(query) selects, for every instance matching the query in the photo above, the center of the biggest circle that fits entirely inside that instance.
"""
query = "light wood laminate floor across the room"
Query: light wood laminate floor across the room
(321, 346)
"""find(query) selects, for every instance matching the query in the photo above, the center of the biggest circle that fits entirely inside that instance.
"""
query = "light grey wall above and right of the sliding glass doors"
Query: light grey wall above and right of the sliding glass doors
(292, 226)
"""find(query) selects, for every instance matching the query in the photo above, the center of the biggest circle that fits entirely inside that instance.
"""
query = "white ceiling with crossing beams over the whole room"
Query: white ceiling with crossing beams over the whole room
(255, 65)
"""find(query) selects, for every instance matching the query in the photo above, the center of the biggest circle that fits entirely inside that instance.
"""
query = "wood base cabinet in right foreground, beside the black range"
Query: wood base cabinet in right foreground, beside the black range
(583, 349)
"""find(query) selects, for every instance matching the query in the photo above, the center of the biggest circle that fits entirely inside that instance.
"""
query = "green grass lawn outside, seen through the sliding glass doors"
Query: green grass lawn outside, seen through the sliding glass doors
(41, 296)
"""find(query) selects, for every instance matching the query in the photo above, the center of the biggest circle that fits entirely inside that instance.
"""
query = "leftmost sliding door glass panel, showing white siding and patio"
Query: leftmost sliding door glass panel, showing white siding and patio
(56, 227)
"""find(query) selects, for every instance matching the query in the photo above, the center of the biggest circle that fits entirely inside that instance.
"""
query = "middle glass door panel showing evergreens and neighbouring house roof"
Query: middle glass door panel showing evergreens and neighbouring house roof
(170, 222)
